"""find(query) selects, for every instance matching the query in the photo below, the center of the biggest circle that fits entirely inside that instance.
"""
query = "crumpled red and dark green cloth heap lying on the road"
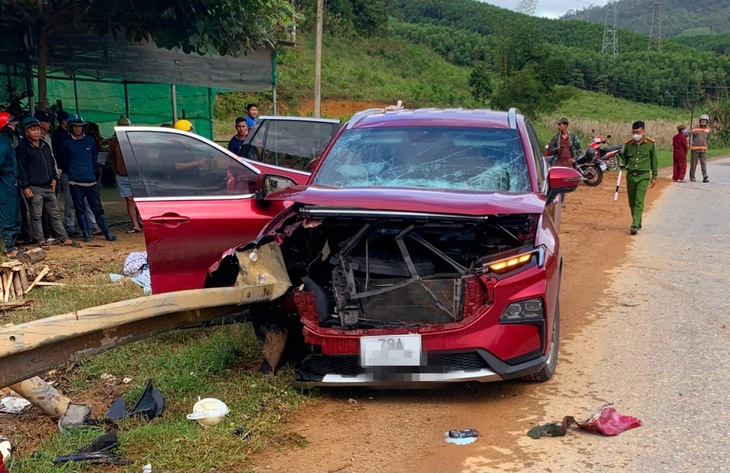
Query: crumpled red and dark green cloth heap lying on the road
(605, 421)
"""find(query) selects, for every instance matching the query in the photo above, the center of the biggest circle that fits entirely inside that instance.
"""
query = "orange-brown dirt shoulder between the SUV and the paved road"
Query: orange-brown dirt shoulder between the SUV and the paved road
(370, 430)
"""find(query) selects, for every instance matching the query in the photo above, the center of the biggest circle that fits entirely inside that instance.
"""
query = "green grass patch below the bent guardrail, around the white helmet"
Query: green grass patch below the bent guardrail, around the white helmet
(184, 365)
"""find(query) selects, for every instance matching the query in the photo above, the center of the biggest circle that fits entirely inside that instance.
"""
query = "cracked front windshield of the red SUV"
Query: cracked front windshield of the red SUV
(479, 159)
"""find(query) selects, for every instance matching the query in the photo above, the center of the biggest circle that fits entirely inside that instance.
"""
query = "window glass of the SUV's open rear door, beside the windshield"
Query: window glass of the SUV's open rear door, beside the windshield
(292, 144)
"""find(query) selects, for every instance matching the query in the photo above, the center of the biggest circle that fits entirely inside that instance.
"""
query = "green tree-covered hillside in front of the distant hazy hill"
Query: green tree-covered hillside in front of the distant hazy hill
(527, 51)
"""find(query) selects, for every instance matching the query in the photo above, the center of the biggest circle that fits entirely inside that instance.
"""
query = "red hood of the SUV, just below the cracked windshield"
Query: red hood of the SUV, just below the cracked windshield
(413, 200)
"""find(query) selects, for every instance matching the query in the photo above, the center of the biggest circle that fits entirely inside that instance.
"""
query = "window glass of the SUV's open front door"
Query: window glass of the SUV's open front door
(172, 165)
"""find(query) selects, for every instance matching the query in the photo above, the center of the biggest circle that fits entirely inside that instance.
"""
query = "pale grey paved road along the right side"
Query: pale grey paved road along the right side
(660, 348)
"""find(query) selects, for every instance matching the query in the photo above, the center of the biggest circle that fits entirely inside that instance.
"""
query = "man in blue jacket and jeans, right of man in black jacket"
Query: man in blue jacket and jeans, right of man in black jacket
(80, 153)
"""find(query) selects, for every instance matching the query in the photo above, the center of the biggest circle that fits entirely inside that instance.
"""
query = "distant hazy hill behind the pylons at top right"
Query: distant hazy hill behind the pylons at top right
(679, 17)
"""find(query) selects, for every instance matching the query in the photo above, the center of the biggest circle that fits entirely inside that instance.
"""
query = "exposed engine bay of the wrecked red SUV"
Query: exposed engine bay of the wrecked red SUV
(384, 270)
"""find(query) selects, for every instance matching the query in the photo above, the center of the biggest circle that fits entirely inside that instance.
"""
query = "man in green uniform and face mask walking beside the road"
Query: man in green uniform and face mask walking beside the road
(639, 159)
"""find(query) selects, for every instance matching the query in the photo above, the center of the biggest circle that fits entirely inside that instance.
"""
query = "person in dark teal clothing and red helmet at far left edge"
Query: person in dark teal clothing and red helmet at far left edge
(9, 196)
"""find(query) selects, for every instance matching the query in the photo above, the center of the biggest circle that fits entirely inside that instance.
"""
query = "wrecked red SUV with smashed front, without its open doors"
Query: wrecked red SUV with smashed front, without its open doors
(424, 248)
